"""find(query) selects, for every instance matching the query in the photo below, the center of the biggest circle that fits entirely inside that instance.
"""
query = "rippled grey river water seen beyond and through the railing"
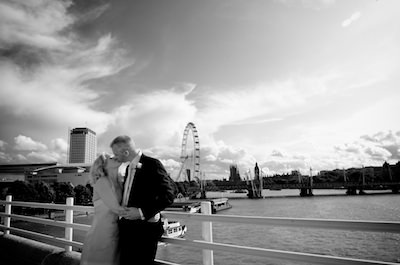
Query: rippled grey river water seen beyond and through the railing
(327, 204)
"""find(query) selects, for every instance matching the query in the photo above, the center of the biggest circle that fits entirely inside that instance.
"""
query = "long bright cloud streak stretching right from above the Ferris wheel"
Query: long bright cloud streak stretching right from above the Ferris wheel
(255, 104)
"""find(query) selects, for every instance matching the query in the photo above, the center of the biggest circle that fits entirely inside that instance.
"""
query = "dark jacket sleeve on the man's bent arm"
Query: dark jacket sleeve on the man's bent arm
(165, 189)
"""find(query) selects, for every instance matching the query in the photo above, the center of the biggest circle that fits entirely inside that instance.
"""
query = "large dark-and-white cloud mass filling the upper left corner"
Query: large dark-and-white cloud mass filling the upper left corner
(45, 66)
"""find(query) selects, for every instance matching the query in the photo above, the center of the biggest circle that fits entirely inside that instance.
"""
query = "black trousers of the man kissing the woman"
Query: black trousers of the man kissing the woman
(138, 241)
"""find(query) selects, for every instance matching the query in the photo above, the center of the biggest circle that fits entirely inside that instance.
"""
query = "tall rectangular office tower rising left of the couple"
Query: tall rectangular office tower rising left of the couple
(82, 145)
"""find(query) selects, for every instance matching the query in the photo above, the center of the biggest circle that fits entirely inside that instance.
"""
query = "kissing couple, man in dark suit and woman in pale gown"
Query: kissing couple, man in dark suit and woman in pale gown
(127, 203)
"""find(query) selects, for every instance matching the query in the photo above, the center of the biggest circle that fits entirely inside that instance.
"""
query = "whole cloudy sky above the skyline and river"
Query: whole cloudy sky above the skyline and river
(291, 85)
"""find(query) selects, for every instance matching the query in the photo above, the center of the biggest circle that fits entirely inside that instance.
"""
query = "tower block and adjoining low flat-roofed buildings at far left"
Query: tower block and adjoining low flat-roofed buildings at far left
(82, 153)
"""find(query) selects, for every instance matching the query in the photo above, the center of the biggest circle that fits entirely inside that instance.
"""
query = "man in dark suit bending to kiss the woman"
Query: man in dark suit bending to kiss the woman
(147, 190)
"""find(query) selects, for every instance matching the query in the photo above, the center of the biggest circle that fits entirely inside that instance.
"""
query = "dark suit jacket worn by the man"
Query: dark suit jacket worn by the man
(152, 189)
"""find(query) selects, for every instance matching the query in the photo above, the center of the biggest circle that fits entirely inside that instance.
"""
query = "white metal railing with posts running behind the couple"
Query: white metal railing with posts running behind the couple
(207, 244)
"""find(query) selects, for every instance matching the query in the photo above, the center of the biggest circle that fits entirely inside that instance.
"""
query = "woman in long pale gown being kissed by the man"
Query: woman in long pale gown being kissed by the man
(101, 243)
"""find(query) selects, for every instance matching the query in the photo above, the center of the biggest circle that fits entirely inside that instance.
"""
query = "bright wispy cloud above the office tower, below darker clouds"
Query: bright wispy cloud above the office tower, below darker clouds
(56, 89)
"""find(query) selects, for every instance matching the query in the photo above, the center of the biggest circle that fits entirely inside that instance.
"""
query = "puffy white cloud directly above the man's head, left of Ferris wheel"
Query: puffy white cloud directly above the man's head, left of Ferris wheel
(153, 119)
